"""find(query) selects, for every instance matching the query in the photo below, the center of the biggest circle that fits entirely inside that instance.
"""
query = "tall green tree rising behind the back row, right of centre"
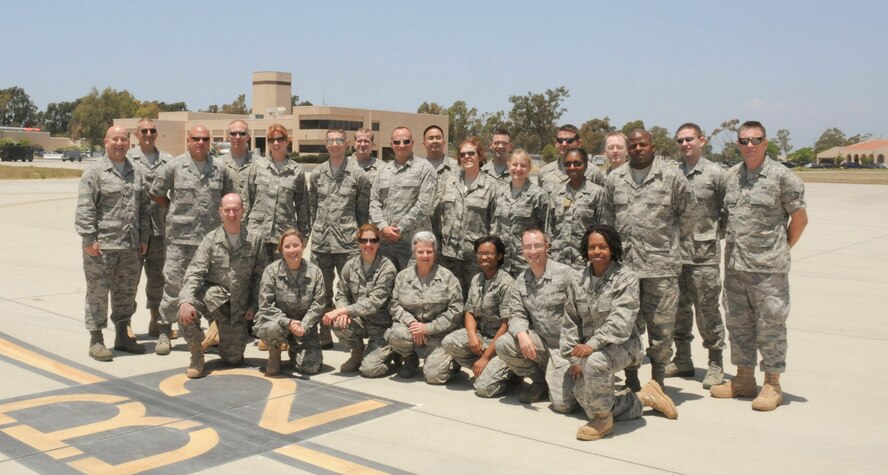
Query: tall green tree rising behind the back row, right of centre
(534, 117)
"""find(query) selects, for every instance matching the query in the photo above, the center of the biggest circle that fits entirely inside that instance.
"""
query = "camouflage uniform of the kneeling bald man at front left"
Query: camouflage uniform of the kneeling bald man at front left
(222, 283)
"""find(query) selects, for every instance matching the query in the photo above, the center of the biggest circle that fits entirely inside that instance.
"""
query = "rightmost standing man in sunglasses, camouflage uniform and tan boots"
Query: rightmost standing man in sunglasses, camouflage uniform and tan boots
(766, 215)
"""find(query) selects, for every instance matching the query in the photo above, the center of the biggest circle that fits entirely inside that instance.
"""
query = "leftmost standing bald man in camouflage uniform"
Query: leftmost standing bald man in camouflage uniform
(113, 219)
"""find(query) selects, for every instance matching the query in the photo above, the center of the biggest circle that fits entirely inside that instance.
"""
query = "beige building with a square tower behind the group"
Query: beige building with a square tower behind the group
(306, 125)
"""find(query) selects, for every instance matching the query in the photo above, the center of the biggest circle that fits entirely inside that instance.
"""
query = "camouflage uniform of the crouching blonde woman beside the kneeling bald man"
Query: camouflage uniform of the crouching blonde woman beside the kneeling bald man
(286, 295)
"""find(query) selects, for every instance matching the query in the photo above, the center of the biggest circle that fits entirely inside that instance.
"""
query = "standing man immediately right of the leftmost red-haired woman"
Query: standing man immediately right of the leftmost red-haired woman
(339, 199)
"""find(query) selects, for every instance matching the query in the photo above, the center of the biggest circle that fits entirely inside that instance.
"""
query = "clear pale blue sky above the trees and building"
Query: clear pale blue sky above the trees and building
(800, 65)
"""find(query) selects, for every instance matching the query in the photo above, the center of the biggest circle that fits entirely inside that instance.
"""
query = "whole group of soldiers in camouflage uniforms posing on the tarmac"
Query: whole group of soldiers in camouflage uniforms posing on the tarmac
(207, 232)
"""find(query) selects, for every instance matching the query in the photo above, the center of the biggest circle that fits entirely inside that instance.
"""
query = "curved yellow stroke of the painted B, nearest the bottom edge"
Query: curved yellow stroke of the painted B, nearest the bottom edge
(199, 443)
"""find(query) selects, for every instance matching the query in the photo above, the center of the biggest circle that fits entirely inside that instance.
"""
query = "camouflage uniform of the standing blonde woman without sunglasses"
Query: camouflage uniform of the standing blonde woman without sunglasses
(514, 215)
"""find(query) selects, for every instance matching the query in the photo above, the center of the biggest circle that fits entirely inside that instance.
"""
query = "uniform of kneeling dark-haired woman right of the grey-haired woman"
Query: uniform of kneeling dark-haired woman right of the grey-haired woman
(489, 303)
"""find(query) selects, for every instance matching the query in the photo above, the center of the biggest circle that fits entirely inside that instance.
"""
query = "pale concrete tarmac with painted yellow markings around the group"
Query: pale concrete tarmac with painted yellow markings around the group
(62, 412)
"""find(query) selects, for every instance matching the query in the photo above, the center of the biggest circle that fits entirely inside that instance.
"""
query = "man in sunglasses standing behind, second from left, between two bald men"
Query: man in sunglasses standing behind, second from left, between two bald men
(149, 161)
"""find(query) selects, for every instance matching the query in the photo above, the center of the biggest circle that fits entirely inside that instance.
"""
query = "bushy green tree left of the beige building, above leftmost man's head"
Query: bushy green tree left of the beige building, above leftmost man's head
(96, 112)
